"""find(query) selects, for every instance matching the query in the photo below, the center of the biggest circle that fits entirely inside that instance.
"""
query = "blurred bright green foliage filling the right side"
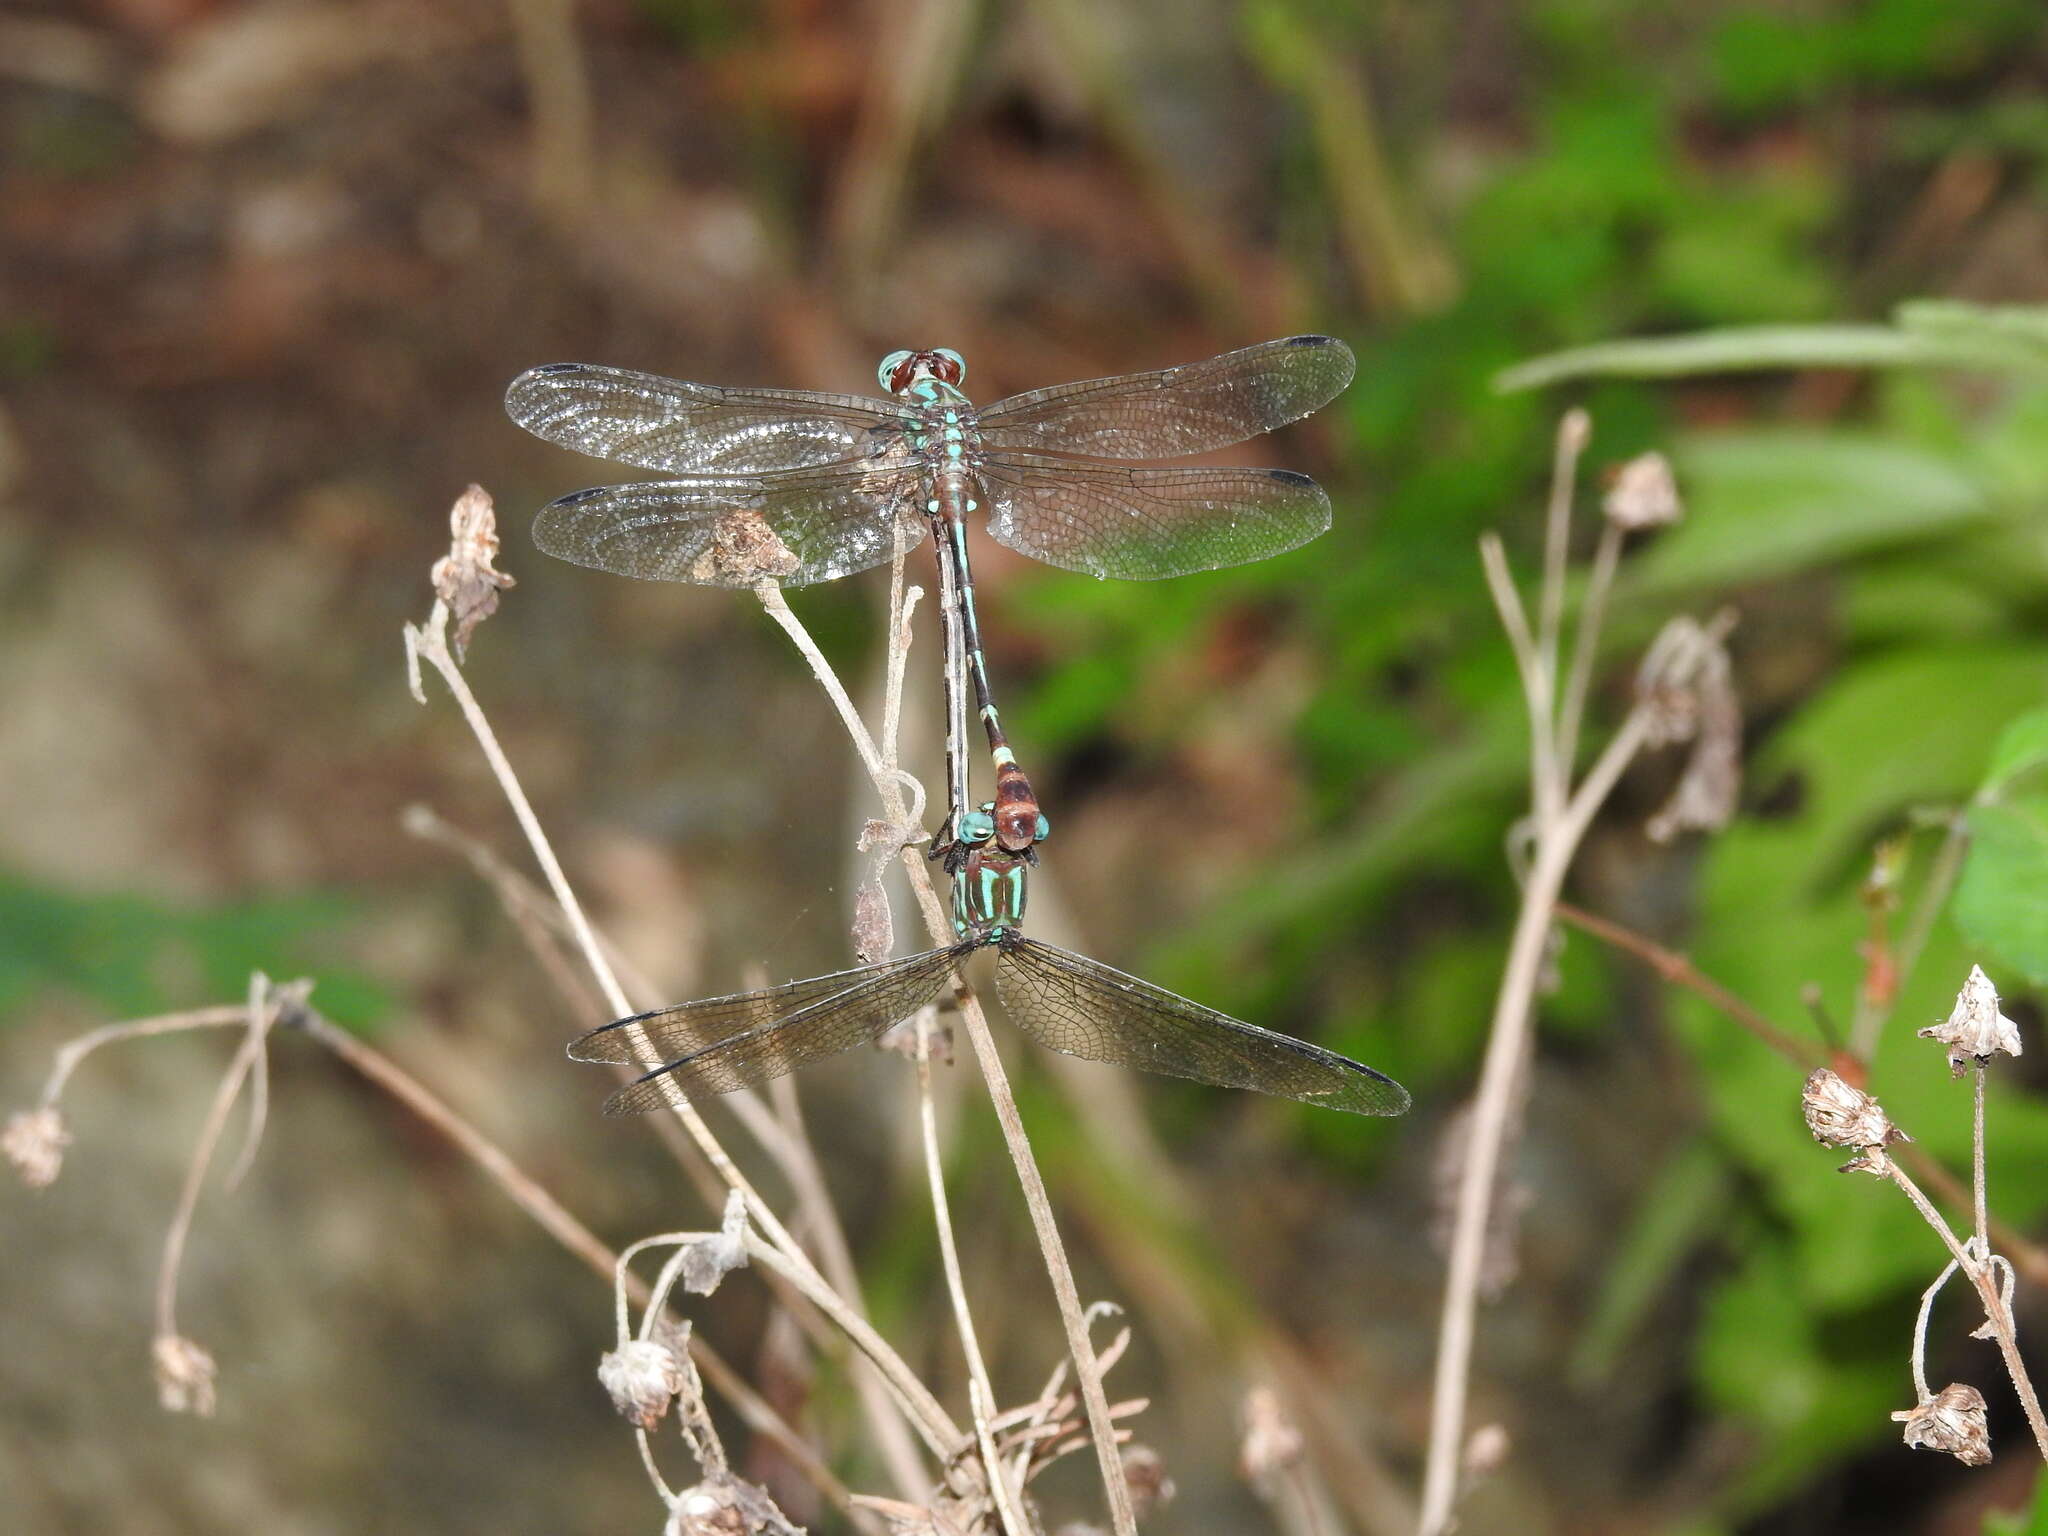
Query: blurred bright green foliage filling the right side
(1916, 529)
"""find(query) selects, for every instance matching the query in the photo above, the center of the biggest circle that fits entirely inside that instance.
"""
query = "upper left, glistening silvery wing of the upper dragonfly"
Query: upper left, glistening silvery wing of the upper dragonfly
(691, 429)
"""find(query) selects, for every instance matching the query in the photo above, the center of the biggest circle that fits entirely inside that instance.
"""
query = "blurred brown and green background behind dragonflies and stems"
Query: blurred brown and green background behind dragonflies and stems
(265, 271)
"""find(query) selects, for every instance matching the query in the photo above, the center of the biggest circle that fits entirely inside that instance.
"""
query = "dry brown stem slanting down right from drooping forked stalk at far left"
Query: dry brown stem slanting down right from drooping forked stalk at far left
(572, 1234)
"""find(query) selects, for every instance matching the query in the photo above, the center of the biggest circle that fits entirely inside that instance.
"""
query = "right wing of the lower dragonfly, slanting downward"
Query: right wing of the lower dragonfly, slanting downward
(1084, 1009)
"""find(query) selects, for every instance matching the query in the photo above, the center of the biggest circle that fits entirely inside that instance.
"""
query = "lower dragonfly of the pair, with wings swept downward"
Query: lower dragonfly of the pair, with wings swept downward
(1064, 1000)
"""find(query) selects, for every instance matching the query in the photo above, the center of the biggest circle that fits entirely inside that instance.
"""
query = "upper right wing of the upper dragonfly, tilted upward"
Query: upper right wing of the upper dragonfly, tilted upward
(1170, 413)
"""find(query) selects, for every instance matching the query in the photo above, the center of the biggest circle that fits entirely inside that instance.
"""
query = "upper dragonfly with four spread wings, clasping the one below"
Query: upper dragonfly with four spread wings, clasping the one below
(794, 486)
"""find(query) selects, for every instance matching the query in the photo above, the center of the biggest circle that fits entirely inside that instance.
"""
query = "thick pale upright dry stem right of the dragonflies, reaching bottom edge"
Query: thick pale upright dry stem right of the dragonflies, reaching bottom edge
(1558, 841)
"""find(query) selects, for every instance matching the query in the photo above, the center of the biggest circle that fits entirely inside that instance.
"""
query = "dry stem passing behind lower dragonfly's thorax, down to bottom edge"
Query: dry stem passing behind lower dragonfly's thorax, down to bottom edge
(1060, 1271)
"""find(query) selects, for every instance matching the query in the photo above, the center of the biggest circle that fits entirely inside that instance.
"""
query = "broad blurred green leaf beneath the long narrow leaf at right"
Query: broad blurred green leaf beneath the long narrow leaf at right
(1762, 505)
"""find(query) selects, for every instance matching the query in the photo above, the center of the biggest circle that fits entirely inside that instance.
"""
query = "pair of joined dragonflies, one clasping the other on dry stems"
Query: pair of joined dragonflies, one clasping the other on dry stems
(792, 486)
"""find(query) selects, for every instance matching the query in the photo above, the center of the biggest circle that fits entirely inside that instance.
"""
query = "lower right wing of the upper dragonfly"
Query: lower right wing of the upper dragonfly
(1140, 525)
